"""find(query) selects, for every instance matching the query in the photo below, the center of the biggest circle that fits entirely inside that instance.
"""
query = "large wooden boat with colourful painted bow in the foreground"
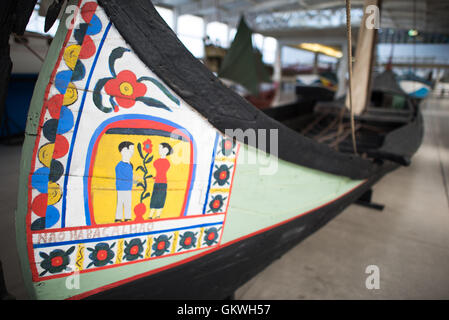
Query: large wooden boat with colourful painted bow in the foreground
(129, 187)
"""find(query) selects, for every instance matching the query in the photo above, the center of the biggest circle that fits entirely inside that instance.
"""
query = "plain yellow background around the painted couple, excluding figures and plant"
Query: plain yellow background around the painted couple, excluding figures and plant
(103, 185)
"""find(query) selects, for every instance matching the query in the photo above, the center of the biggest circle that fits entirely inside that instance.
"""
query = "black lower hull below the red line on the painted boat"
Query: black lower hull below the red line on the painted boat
(218, 274)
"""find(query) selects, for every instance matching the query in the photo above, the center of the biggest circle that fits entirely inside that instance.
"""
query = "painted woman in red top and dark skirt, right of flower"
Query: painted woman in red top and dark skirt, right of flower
(160, 181)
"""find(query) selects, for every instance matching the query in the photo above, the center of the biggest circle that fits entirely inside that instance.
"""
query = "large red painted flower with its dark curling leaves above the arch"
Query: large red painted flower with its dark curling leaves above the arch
(124, 89)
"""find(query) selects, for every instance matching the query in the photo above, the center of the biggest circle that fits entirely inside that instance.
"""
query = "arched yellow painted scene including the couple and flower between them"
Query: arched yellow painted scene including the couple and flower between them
(138, 174)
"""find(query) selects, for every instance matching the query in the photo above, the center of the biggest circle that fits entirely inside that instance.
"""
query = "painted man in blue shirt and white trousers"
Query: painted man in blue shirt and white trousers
(124, 182)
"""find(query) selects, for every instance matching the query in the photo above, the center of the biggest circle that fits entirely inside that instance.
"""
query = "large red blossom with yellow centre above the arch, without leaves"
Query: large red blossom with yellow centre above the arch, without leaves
(125, 88)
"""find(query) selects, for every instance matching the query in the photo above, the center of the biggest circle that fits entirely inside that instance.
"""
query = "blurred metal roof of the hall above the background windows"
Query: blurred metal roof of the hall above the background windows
(284, 18)
